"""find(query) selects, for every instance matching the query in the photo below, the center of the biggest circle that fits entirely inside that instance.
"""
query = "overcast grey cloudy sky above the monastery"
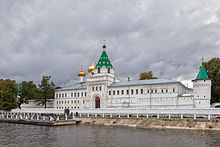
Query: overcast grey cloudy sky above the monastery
(56, 37)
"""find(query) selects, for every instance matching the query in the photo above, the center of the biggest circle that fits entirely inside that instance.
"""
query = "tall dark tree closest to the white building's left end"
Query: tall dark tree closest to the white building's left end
(46, 91)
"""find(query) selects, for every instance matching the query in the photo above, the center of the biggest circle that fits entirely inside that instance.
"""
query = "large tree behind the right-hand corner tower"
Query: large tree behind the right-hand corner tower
(213, 70)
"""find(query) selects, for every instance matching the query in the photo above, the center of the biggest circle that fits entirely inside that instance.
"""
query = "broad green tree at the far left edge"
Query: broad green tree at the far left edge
(8, 94)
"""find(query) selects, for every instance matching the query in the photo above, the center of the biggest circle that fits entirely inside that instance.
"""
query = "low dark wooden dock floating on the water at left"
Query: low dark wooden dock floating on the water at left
(40, 122)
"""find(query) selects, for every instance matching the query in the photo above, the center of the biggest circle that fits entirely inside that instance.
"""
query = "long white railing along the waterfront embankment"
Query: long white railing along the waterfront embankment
(211, 113)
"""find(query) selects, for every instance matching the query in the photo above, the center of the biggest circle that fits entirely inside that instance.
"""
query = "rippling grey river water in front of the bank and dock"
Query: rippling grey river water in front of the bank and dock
(18, 135)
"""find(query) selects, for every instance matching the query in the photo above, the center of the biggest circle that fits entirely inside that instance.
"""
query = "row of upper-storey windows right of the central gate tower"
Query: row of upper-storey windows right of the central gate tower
(137, 91)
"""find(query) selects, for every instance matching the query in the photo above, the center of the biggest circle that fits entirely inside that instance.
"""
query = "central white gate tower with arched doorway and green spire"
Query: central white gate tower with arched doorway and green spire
(98, 81)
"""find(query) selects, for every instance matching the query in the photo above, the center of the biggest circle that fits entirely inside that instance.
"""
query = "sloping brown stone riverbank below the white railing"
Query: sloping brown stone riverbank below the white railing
(186, 124)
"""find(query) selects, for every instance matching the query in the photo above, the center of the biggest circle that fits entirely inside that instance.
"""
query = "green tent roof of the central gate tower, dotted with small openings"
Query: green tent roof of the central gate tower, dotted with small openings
(104, 61)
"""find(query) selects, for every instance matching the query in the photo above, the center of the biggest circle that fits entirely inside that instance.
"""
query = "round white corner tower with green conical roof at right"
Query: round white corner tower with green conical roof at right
(202, 89)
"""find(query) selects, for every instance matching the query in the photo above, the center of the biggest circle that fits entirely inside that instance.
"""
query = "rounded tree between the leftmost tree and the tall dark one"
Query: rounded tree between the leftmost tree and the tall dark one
(28, 90)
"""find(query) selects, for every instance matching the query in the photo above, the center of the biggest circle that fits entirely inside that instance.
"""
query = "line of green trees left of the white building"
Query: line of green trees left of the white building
(13, 94)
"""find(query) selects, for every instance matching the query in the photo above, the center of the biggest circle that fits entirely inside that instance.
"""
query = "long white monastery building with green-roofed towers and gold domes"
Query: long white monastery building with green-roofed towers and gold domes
(102, 90)
